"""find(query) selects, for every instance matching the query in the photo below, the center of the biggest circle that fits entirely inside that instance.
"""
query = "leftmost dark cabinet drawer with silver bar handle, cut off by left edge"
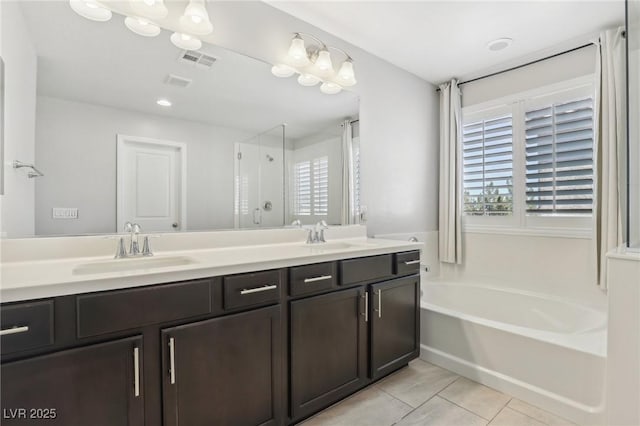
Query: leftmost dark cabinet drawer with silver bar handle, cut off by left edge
(26, 326)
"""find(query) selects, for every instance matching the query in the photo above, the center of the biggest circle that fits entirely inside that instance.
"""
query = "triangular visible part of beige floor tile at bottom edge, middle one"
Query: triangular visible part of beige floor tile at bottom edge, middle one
(440, 412)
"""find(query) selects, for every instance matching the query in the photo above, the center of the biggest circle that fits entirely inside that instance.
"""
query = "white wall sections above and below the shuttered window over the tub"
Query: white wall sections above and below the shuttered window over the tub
(557, 266)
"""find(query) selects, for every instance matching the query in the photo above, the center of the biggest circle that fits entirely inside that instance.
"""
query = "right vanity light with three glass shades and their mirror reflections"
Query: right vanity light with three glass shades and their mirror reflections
(314, 64)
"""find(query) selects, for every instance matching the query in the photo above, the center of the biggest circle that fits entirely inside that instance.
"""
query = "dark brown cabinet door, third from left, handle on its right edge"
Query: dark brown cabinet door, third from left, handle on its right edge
(328, 349)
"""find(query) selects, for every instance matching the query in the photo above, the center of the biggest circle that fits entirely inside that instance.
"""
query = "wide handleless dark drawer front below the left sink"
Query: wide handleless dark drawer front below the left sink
(111, 311)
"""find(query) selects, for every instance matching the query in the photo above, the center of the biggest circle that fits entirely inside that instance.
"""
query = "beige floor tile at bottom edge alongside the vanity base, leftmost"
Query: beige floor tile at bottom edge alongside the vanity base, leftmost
(366, 408)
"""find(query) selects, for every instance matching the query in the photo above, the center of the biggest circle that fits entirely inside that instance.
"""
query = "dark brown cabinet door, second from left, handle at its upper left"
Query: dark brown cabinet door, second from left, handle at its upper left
(224, 371)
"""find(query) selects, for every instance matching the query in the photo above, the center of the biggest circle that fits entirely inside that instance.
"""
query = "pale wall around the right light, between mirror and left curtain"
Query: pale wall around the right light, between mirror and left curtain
(398, 116)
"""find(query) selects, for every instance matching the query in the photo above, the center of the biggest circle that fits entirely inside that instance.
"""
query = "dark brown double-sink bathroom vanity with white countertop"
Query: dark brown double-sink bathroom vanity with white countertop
(250, 345)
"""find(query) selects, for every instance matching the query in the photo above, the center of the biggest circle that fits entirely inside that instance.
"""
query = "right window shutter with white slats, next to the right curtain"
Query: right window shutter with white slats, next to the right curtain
(559, 158)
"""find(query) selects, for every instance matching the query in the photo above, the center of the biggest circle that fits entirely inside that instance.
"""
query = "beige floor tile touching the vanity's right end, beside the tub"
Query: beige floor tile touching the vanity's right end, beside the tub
(417, 382)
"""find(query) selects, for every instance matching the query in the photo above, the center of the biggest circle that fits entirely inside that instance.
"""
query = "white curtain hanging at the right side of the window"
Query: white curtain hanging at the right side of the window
(609, 146)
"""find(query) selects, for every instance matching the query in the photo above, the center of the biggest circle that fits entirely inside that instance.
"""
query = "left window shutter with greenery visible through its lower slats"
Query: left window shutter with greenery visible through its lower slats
(488, 167)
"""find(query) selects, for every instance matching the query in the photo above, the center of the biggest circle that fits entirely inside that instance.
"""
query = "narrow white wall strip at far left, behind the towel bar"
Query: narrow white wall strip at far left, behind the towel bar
(20, 108)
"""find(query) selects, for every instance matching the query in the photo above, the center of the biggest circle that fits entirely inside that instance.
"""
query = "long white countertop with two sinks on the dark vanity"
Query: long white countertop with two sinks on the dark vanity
(49, 277)
